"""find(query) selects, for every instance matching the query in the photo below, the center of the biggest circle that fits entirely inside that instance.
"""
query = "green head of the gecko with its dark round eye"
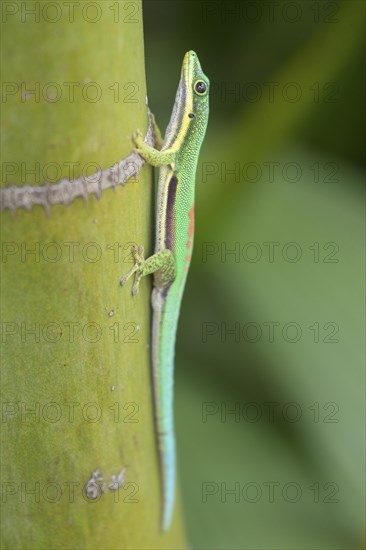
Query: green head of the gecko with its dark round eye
(197, 88)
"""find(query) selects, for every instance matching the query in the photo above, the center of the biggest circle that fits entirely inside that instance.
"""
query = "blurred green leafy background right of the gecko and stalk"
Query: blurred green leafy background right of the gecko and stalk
(274, 330)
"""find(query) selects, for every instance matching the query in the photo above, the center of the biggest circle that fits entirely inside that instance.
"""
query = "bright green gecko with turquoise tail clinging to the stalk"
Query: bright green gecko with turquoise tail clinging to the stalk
(177, 158)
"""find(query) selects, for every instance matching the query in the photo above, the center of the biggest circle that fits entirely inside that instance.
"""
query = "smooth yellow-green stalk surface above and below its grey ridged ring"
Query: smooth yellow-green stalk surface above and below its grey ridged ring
(76, 385)
